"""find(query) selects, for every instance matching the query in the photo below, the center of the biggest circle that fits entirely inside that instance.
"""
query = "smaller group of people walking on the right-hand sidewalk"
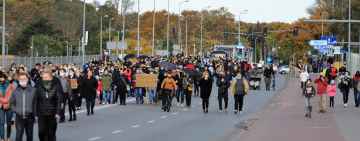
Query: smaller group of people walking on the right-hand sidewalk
(329, 81)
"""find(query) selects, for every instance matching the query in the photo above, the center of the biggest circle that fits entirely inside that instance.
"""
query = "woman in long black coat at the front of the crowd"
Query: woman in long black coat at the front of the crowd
(205, 90)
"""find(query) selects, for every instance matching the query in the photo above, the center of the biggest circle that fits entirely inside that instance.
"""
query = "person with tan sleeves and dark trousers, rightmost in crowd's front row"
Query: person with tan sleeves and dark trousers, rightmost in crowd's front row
(240, 88)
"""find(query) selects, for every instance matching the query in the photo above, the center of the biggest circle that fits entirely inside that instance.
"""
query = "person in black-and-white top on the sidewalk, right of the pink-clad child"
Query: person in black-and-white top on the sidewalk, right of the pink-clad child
(344, 86)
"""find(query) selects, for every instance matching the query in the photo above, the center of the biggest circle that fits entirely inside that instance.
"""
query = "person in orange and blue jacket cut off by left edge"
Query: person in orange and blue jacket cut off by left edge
(6, 90)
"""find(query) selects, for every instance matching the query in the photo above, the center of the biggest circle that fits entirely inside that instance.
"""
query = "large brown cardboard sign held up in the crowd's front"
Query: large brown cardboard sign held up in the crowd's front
(146, 80)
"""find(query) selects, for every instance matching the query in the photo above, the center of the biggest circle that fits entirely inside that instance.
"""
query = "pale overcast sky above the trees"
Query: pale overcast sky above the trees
(257, 10)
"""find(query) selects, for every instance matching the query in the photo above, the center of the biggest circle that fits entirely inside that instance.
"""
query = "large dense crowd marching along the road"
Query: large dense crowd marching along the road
(45, 92)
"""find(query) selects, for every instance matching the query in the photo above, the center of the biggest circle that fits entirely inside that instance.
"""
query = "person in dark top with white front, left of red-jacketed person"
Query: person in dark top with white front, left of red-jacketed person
(308, 92)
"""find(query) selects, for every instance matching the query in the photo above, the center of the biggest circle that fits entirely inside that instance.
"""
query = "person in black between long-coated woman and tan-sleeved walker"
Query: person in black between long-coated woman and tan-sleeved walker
(223, 86)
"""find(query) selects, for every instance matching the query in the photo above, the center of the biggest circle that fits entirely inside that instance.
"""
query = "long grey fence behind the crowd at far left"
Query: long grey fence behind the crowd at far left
(31, 61)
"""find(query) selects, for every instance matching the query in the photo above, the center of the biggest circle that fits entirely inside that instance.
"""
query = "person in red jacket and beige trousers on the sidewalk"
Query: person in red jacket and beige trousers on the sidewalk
(321, 86)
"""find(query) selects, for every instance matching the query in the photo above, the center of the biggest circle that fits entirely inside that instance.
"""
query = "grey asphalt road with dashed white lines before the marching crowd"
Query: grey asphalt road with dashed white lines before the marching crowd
(148, 122)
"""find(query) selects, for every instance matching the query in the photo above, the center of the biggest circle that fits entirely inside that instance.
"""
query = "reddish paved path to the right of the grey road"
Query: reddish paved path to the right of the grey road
(283, 120)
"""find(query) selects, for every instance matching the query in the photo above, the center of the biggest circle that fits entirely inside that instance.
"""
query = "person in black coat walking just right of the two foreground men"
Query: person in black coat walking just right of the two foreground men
(88, 90)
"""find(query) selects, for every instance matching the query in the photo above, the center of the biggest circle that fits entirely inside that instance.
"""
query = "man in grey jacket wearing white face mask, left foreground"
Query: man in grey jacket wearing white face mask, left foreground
(23, 102)
